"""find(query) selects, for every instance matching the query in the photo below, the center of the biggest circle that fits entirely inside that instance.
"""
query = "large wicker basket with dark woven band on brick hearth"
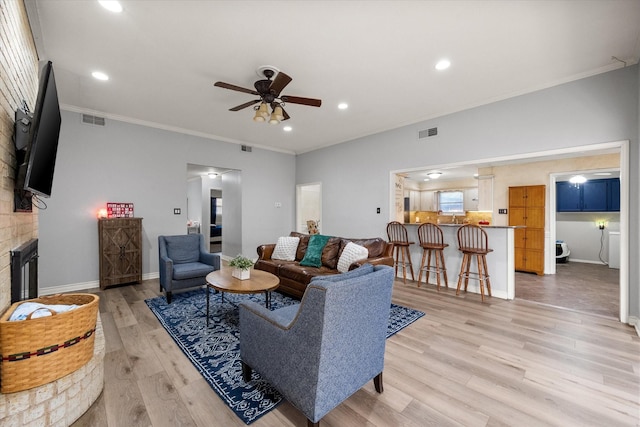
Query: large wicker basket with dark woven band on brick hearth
(37, 351)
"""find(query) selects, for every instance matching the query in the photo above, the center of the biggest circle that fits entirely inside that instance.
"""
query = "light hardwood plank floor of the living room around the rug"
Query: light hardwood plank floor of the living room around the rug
(465, 363)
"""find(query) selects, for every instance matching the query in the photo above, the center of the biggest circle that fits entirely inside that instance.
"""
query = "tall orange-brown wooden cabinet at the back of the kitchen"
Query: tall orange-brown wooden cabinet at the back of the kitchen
(527, 209)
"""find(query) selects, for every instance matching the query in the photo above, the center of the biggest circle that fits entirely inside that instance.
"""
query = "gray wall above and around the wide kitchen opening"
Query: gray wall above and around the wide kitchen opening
(355, 175)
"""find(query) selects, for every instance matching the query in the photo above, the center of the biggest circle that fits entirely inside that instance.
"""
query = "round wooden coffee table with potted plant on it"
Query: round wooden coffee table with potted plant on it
(259, 281)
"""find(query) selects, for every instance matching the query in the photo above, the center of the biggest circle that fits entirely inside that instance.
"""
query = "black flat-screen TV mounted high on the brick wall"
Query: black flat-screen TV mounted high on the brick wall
(45, 129)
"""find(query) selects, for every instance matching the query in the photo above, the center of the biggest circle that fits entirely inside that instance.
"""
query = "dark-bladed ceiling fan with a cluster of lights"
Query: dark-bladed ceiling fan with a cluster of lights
(268, 89)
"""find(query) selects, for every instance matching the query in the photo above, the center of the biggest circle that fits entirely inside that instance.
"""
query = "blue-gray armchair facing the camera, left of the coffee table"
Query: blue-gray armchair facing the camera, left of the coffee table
(184, 262)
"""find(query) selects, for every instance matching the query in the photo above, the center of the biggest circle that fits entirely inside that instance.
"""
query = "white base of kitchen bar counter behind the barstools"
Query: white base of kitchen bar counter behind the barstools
(500, 262)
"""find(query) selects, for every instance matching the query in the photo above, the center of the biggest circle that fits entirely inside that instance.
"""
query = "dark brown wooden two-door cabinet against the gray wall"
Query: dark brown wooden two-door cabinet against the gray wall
(120, 251)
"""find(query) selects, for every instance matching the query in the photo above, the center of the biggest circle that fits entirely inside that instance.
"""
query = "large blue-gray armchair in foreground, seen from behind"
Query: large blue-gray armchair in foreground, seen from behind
(321, 351)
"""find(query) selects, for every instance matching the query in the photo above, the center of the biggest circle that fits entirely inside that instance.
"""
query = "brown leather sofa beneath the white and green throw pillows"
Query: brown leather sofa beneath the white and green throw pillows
(294, 278)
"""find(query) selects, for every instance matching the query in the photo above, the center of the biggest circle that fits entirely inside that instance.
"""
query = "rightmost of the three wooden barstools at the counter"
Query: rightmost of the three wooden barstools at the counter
(473, 241)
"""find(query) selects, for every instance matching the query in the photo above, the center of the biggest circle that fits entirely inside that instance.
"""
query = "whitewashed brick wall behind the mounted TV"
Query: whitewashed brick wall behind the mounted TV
(18, 81)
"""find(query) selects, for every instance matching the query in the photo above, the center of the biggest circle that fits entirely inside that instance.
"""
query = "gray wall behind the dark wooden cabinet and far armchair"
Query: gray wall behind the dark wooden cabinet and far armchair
(124, 162)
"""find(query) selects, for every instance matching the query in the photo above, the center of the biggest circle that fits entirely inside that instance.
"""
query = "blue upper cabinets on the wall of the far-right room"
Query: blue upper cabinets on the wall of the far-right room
(598, 195)
